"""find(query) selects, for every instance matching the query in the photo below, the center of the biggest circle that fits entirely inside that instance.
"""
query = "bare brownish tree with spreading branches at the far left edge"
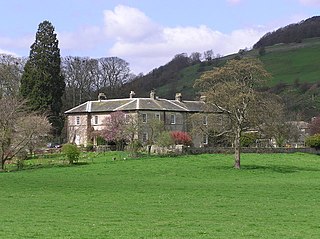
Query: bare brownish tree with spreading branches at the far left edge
(19, 129)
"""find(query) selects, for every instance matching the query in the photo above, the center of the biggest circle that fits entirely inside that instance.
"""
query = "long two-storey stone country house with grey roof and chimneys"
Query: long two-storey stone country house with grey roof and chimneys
(90, 116)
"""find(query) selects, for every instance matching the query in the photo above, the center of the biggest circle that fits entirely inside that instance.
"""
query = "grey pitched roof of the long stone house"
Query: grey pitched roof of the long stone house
(131, 104)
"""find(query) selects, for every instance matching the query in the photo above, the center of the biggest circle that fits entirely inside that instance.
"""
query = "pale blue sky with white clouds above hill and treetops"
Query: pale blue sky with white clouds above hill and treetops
(147, 33)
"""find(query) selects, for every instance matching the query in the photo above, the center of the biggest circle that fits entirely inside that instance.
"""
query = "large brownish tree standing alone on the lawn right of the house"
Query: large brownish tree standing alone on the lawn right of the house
(231, 90)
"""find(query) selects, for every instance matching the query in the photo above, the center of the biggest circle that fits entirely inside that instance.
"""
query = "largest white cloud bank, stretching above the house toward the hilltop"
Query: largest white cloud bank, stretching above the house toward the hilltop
(147, 45)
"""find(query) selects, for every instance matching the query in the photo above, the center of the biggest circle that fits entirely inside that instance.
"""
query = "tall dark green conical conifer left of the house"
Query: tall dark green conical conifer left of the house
(42, 83)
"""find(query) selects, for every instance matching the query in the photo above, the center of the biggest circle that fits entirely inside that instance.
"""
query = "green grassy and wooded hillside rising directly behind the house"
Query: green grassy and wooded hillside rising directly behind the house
(294, 69)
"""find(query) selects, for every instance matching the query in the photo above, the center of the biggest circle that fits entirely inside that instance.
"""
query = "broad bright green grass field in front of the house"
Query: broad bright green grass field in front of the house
(273, 196)
